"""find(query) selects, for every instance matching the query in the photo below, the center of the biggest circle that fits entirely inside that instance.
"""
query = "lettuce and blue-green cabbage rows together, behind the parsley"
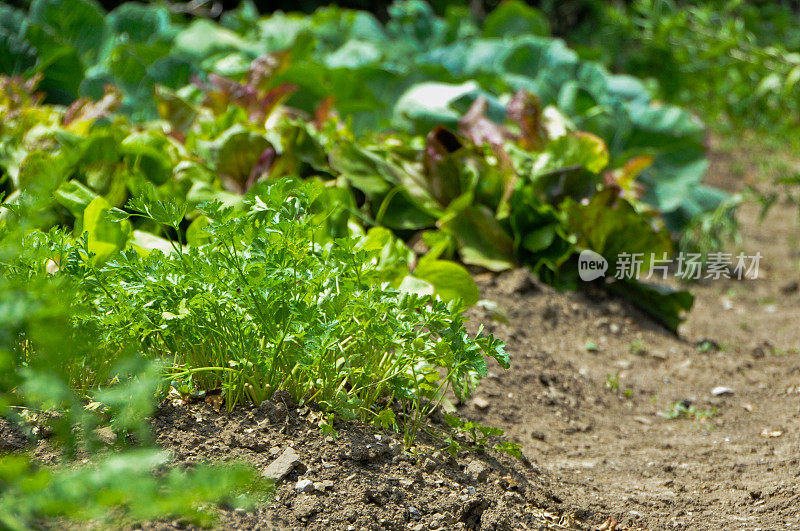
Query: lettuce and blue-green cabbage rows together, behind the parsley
(502, 147)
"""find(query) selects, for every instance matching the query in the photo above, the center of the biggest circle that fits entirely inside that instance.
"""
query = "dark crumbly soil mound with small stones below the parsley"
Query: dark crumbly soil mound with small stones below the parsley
(361, 479)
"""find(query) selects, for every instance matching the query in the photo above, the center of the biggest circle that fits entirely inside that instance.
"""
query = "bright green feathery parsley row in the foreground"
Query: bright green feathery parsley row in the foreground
(262, 306)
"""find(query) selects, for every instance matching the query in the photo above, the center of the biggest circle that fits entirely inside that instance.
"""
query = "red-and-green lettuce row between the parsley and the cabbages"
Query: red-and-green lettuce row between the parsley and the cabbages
(526, 192)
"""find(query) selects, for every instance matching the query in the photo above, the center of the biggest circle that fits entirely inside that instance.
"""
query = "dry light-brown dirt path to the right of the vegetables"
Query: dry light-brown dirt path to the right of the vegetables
(738, 469)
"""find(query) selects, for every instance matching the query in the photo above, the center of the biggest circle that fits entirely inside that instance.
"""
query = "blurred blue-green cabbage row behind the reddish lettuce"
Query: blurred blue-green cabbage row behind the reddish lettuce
(412, 73)
